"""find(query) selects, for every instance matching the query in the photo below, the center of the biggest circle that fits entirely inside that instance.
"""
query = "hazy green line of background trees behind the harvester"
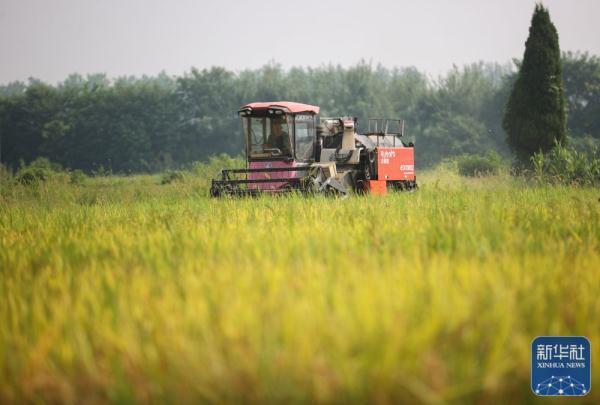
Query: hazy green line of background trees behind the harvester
(154, 123)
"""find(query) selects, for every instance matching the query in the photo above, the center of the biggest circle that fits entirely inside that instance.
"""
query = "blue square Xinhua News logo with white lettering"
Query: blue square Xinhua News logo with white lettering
(561, 366)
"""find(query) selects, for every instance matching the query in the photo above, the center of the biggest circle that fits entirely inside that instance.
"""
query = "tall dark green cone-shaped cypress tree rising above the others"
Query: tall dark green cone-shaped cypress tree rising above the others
(535, 115)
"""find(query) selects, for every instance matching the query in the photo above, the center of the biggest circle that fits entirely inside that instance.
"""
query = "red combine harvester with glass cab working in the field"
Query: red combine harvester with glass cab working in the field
(289, 148)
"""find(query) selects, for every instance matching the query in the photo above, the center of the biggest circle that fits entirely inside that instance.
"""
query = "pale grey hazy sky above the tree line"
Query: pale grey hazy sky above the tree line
(50, 39)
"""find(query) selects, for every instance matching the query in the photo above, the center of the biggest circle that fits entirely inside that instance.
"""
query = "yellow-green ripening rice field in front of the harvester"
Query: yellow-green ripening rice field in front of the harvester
(125, 290)
